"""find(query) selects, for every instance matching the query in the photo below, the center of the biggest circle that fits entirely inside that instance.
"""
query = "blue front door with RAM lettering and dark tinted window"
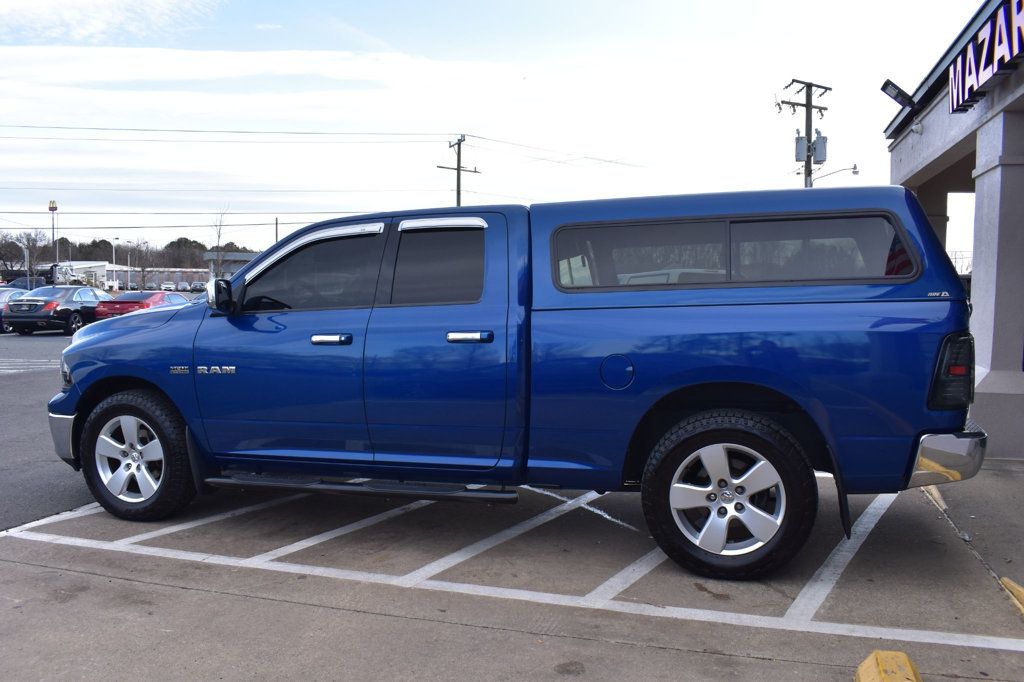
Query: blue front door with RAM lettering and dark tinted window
(283, 378)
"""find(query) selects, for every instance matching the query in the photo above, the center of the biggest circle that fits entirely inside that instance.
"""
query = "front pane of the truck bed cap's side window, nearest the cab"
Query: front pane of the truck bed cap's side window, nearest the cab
(643, 255)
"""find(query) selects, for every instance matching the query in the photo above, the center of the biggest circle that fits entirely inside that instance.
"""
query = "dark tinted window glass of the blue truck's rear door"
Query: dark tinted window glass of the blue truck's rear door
(440, 267)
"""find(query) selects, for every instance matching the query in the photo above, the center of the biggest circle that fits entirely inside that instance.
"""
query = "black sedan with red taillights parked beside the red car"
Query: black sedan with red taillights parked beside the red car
(62, 308)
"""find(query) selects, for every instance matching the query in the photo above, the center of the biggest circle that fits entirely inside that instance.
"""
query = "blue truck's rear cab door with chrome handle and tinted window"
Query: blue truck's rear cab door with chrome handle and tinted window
(437, 350)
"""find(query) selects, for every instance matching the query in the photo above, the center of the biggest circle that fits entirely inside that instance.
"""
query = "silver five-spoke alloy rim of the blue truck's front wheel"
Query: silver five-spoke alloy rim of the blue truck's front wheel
(130, 459)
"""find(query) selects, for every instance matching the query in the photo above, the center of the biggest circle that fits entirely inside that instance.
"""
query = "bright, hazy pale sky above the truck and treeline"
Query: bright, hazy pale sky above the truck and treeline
(156, 119)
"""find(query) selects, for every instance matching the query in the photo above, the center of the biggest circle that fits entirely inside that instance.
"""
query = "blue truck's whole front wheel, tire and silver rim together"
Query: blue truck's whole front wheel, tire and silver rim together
(135, 457)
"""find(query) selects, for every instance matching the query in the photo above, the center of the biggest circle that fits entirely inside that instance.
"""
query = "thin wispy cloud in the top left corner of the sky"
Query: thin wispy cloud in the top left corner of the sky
(94, 21)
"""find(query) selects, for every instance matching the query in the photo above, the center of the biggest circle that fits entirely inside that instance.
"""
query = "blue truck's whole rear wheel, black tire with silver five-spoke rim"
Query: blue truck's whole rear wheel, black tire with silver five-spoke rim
(744, 438)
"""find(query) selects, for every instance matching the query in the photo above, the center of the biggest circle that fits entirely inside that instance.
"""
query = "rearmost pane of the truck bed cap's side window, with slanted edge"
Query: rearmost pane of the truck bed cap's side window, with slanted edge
(818, 249)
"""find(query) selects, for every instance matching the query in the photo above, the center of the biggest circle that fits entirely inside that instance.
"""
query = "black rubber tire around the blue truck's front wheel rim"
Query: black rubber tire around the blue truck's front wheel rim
(176, 488)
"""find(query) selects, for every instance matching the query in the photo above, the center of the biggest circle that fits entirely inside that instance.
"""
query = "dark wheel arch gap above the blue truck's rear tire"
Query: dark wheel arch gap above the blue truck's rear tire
(758, 399)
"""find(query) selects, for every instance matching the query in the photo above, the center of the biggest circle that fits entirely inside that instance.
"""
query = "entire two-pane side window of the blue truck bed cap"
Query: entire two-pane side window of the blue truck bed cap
(668, 255)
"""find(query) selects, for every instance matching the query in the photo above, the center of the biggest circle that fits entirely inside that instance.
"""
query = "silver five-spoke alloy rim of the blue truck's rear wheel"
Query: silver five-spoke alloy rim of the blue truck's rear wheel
(728, 499)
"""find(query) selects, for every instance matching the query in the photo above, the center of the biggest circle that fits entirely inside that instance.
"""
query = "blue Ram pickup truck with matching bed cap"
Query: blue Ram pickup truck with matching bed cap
(711, 353)
